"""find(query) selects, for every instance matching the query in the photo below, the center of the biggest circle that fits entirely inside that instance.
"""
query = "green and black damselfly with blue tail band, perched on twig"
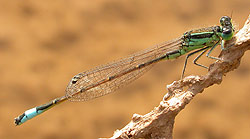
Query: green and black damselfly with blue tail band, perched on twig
(107, 78)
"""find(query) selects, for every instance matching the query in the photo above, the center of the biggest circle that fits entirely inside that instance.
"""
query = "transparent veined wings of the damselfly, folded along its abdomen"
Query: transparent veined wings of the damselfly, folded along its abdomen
(107, 78)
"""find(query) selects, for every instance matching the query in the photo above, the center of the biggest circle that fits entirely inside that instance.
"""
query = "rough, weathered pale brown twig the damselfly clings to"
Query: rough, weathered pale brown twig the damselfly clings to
(159, 122)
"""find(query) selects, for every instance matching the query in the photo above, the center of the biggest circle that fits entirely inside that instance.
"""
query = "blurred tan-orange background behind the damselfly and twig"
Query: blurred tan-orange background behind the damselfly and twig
(44, 43)
